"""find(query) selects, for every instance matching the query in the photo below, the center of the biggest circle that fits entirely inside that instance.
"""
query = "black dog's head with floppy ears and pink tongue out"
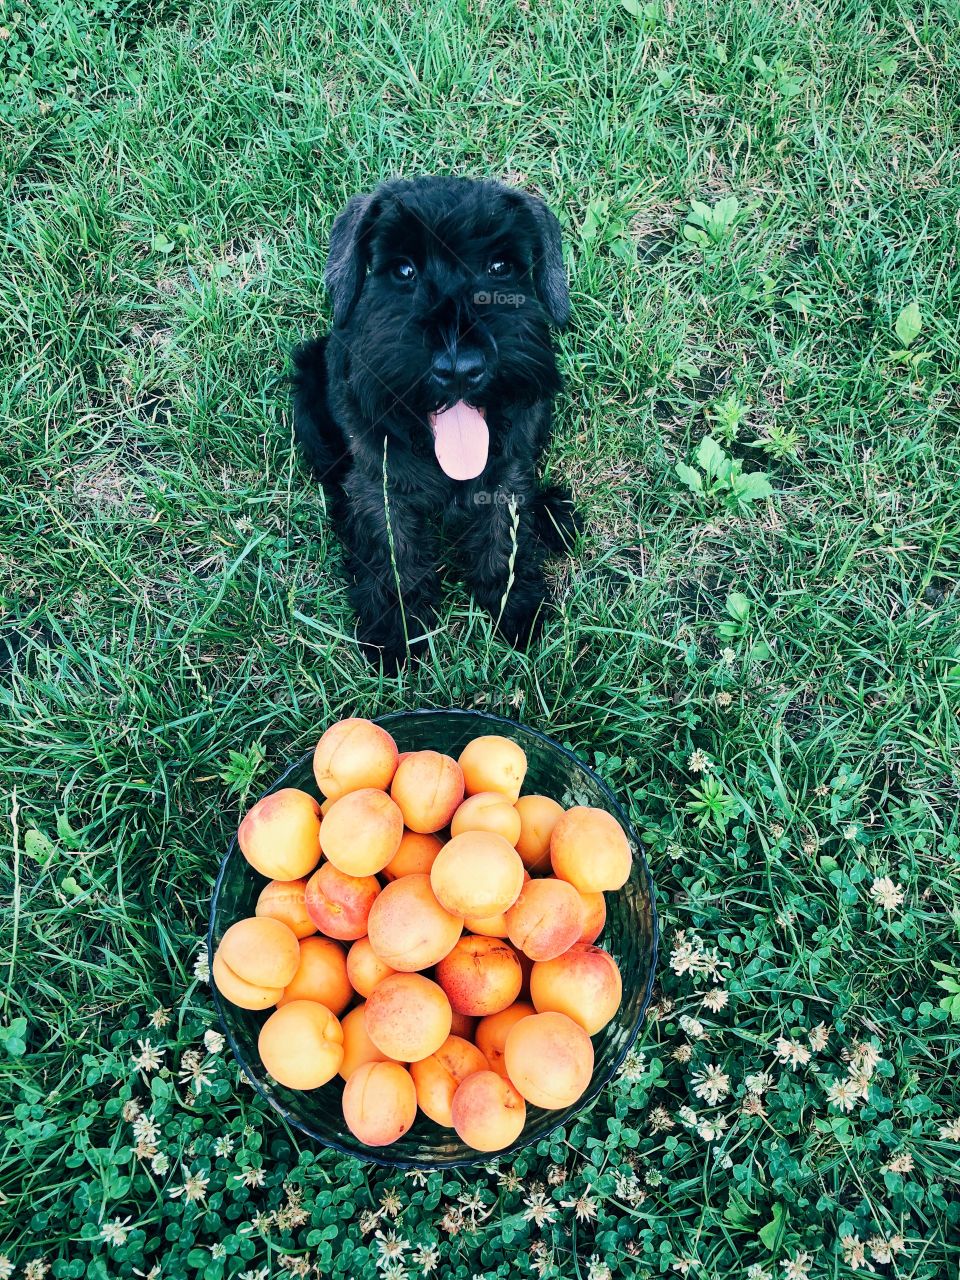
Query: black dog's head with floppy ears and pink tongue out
(445, 292)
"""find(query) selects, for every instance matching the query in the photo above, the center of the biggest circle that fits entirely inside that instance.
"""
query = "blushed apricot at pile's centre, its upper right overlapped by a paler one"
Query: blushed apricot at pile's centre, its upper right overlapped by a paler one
(409, 930)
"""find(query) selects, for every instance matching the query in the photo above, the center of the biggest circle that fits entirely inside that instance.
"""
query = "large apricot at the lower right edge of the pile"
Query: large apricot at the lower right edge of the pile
(550, 1059)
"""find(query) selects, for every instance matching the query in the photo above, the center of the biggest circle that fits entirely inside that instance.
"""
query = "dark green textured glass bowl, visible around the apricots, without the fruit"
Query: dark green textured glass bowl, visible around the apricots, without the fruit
(630, 935)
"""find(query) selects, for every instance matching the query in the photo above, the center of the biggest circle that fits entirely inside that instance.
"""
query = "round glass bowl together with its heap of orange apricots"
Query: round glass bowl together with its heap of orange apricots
(433, 940)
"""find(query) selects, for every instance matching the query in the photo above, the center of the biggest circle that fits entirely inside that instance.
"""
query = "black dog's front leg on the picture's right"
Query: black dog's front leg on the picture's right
(504, 561)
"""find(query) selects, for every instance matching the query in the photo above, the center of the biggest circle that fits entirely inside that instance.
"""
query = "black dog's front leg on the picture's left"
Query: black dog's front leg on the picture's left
(395, 569)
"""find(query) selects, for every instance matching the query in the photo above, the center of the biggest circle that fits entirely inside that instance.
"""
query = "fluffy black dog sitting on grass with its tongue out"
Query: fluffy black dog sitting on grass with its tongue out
(427, 408)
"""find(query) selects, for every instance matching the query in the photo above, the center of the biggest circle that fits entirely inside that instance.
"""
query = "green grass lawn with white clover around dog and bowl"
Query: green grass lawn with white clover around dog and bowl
(757, 641)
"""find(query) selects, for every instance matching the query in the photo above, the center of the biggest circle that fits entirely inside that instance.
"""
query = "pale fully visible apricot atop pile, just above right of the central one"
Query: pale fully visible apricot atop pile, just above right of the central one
(478, 875)
